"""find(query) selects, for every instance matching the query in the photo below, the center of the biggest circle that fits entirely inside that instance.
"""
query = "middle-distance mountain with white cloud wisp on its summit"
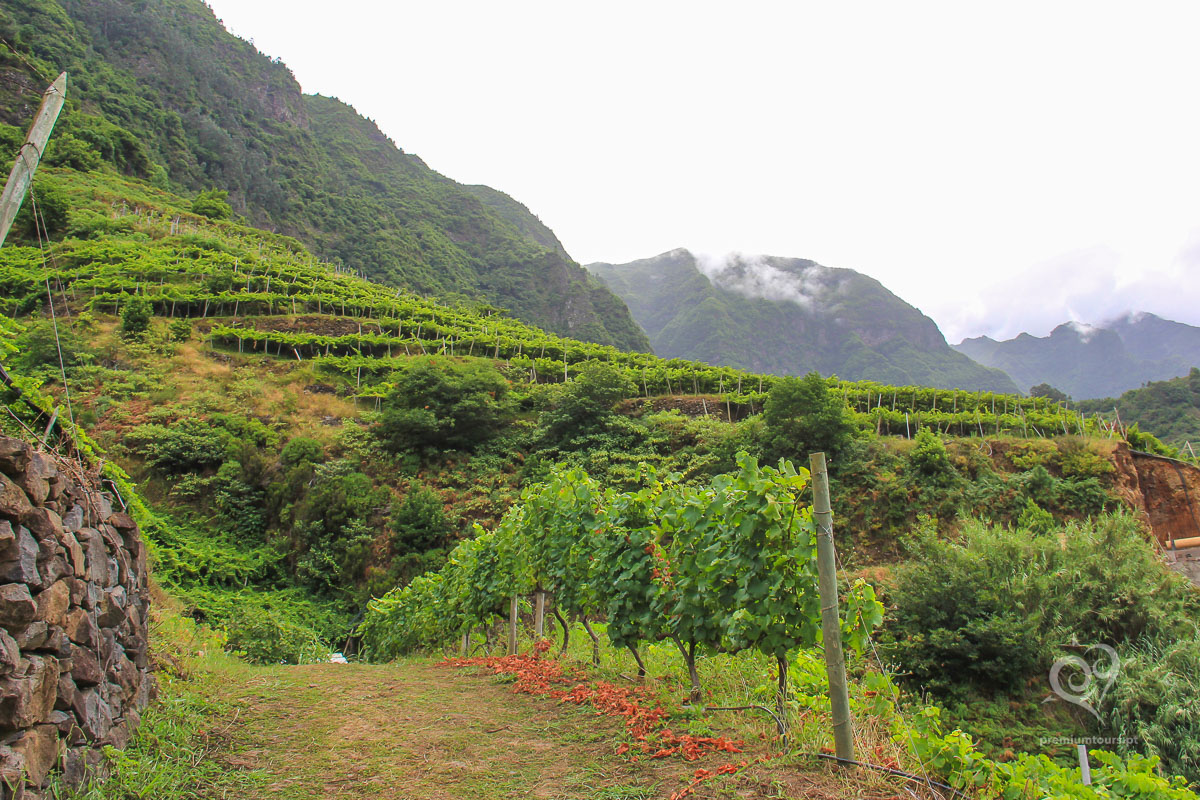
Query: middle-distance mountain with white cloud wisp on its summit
(788, 316)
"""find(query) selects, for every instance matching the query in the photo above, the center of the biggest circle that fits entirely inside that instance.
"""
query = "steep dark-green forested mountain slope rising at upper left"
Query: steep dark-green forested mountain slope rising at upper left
(164, 93)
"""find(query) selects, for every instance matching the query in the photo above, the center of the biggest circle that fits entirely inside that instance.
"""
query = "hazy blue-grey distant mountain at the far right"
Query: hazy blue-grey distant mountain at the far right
(1090, 362)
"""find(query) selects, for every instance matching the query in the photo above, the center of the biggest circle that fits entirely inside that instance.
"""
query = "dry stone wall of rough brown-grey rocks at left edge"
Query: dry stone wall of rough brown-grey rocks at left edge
(75, 670)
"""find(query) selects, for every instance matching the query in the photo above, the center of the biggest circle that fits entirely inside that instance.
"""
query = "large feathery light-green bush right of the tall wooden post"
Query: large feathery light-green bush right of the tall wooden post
(989, 613)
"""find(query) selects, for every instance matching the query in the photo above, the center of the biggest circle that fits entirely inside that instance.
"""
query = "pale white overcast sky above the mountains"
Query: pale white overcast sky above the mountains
(1005, 167)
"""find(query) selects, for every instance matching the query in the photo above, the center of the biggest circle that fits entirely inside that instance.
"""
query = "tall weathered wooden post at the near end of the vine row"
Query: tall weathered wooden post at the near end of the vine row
(831, 622)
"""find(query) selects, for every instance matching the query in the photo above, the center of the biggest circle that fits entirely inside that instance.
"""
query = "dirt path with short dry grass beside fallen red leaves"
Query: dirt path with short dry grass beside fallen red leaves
(417, 731)
